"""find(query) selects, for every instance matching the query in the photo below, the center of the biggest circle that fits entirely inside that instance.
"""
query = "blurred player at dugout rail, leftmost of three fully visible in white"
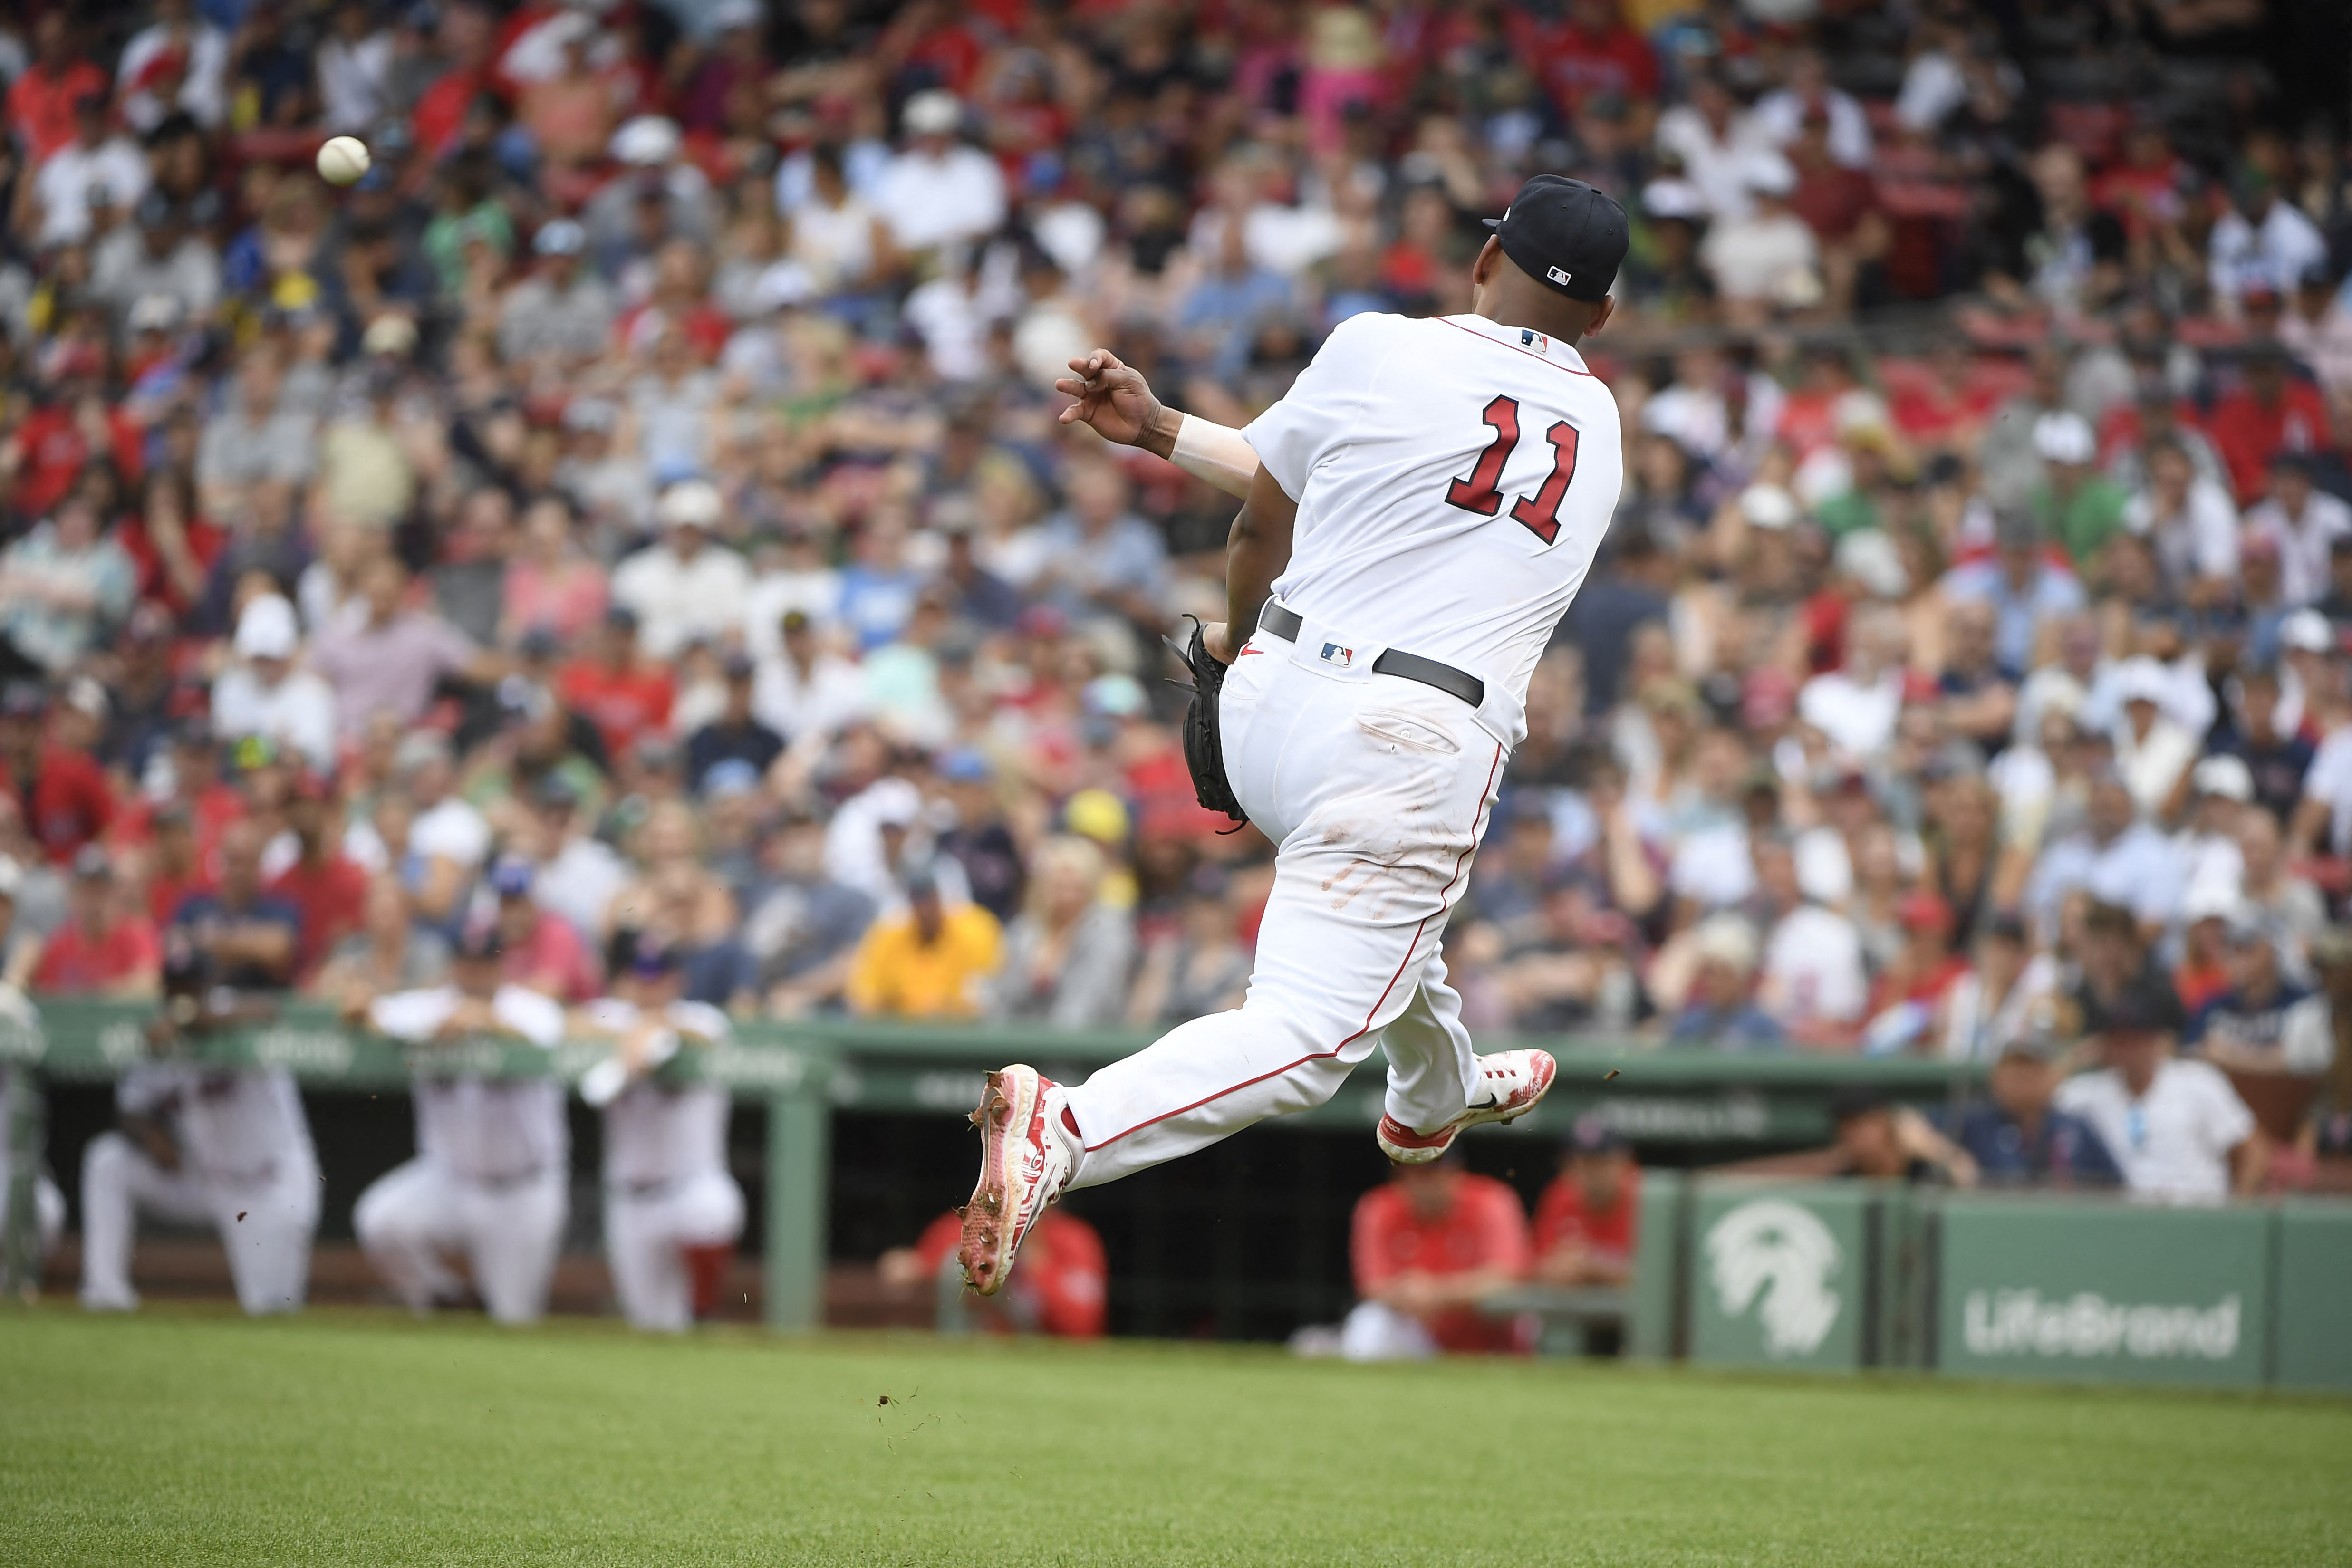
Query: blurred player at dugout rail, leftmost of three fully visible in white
(203, 1144)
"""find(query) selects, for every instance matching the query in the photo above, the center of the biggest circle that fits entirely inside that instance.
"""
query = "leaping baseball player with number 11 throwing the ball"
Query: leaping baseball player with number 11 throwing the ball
(1419, 514)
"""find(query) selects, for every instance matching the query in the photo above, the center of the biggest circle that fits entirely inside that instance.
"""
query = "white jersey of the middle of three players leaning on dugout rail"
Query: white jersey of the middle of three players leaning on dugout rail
(486, 1130)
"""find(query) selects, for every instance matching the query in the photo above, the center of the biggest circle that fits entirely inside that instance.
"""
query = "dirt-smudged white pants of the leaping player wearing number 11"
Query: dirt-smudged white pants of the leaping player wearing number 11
(1377, 791)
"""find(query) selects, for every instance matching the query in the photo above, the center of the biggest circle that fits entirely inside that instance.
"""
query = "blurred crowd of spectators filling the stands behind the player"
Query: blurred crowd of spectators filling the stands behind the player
(639, 504)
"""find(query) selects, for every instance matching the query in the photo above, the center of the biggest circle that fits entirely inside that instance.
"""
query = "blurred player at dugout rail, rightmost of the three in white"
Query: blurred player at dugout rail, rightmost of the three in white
(671, 1212)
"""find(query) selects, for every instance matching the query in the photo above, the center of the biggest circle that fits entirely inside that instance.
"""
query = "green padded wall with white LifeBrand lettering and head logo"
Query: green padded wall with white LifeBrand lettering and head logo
(1993, 1285)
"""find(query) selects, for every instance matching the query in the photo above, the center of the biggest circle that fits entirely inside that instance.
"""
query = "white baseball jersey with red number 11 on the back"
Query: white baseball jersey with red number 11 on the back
(1481, 474)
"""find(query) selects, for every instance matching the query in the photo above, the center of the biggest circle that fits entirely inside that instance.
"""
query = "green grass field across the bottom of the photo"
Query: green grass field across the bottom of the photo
(352, 1438)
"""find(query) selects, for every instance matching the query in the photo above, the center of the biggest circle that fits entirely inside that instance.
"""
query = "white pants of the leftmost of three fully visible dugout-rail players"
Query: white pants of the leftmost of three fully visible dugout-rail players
(265, 1226)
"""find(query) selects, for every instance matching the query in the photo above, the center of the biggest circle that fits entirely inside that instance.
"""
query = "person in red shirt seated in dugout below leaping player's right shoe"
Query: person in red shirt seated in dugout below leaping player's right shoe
(1426, 1247)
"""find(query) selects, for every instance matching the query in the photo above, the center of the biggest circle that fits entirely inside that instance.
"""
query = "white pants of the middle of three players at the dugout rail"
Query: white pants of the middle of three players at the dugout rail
(415, 1214)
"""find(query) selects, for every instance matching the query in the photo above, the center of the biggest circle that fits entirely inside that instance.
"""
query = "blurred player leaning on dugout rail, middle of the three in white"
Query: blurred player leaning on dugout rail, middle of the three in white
(493, 1155)
